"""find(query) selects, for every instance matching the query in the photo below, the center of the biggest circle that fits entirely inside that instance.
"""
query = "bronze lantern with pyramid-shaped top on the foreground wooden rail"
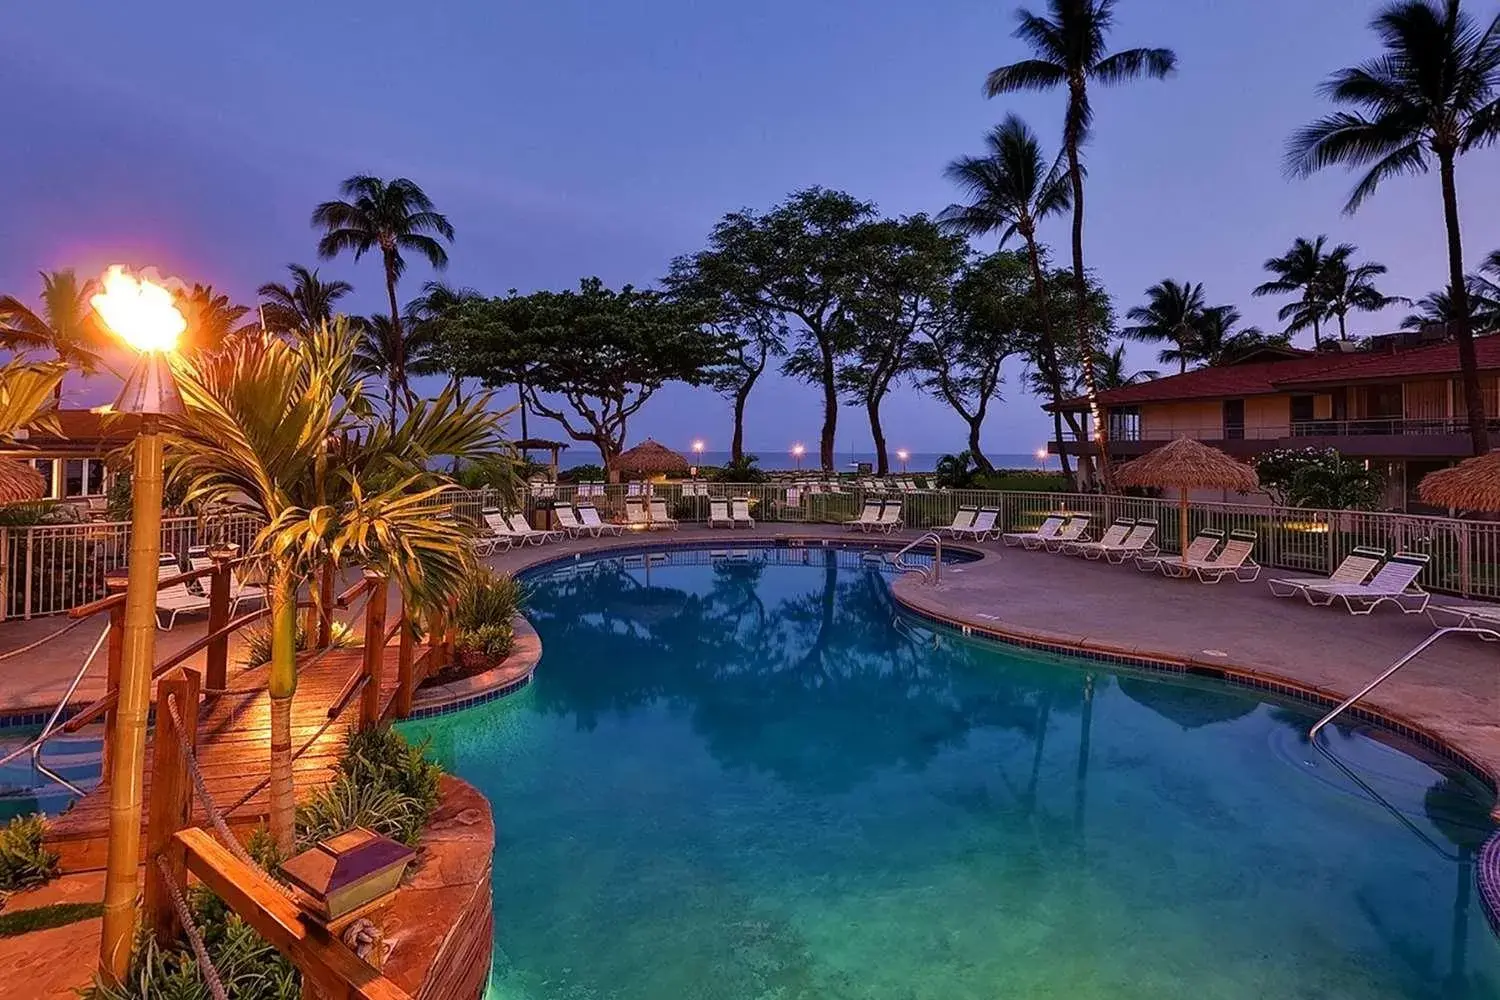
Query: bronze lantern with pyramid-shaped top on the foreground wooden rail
(347, 872)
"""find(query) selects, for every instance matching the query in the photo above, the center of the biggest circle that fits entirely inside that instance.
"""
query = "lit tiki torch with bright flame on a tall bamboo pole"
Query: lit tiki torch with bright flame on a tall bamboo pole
(145, 316)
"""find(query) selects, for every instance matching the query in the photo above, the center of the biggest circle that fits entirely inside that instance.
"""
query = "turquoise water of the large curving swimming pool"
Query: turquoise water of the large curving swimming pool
(746, 782)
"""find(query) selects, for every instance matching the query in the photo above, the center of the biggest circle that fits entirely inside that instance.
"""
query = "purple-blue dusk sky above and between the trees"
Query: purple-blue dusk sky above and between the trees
(569, 139)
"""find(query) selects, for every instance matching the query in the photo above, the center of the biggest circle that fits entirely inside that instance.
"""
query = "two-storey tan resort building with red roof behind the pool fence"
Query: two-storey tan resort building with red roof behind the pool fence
(1397, 404)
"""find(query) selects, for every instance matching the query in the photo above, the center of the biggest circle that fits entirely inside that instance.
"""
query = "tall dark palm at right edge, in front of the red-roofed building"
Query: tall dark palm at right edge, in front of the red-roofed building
(1430, 97)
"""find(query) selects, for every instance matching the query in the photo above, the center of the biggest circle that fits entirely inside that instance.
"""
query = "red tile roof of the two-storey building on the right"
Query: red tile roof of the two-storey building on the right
(1264, 379)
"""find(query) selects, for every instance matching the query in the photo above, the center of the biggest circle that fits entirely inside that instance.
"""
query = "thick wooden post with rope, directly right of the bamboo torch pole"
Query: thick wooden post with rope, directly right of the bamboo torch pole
(172, 801)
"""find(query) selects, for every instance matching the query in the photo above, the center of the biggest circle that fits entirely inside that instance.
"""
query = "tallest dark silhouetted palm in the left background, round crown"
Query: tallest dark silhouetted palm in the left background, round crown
(389, 217)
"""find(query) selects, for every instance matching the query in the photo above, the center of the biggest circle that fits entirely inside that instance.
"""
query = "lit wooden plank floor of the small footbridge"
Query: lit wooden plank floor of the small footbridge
(235, 752)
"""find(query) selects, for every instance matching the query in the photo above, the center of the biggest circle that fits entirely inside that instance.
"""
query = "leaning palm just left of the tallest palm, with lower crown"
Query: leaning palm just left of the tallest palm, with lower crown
(1010, 191)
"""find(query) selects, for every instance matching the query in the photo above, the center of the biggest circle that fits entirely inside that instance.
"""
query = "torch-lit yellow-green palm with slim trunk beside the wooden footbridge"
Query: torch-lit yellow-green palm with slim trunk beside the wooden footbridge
(283, 431)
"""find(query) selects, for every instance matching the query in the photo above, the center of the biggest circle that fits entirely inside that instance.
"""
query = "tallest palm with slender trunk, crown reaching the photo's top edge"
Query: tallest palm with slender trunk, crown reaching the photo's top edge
(1069, 50)
